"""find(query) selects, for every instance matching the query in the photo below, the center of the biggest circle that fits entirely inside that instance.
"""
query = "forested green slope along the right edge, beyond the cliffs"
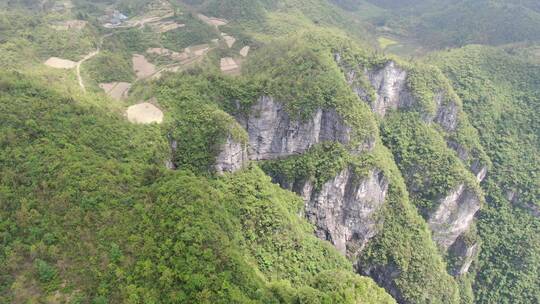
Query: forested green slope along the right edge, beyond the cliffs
(500, 95)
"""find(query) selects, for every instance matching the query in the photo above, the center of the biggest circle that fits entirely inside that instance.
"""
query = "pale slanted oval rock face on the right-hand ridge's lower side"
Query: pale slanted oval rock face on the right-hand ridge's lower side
(454, 216)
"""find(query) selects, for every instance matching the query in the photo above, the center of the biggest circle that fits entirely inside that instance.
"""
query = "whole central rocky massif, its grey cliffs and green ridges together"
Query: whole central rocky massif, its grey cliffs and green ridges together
(350, 187)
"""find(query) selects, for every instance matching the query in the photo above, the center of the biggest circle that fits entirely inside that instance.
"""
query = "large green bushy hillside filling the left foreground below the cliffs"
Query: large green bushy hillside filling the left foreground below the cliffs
(235, 239)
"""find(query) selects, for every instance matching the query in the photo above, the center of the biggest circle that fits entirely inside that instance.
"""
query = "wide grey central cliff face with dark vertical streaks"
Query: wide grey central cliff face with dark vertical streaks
(273, 134)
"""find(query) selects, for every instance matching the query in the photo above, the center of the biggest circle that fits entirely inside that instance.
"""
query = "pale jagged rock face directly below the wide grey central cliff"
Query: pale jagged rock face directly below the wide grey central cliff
(344, 209)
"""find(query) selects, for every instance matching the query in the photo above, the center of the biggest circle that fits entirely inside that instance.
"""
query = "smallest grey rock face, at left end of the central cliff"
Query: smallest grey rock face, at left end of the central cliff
(232, 157)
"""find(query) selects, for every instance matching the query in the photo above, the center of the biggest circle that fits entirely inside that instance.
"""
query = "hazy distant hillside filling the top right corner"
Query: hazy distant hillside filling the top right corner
(422, 25)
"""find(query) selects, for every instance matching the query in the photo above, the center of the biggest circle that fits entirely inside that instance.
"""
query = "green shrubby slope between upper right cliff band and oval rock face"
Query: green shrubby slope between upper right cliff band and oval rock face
(430, 169)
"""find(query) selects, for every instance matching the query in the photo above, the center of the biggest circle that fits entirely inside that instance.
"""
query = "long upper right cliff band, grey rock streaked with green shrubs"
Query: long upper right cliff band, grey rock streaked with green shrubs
(392, 89)
